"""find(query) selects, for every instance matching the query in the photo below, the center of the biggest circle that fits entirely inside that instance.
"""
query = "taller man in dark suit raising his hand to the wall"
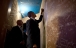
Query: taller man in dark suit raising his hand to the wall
(32, 30)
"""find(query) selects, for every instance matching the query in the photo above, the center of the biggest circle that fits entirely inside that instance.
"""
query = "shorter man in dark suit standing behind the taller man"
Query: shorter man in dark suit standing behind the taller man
(18, 37)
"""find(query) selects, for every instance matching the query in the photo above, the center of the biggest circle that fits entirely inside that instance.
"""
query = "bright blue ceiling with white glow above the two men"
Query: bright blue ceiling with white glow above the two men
(29, 5)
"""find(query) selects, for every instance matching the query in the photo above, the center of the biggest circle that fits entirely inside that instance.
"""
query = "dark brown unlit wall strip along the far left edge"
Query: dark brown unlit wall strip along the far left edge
(3, 20)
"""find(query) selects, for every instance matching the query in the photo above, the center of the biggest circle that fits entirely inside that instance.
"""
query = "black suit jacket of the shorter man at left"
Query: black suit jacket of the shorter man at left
(16, 36)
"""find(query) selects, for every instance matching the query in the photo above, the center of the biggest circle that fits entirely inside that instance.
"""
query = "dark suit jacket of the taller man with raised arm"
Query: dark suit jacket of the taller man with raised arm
(33, 31)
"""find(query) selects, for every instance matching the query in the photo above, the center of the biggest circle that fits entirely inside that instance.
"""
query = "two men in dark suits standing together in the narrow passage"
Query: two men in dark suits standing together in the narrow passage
(26, 35)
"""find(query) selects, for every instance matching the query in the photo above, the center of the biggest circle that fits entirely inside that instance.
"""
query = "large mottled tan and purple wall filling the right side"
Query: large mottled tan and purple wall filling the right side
(60, 23)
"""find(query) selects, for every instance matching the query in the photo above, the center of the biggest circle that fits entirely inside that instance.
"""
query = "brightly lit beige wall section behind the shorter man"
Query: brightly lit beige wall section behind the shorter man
(13, 14)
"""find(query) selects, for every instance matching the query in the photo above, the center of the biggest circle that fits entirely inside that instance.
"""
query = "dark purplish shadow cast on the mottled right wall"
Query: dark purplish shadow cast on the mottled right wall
(67, 26)
